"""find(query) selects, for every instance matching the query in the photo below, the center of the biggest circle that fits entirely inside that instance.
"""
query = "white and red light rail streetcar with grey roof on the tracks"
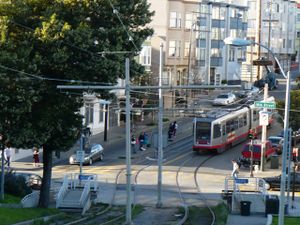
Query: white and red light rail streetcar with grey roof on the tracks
(220, 129)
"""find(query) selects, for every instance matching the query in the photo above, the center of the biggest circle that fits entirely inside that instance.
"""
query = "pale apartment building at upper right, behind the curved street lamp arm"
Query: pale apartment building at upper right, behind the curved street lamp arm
(271, 23)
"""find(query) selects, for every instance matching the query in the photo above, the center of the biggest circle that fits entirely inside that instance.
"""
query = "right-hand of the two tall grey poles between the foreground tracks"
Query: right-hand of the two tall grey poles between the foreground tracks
(160, 136)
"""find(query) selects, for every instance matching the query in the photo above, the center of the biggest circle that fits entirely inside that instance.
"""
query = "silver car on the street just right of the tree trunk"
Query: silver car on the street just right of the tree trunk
(91, 154)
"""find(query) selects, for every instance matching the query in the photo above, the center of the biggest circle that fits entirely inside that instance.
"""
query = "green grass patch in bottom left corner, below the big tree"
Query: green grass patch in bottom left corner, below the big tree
(11, 216)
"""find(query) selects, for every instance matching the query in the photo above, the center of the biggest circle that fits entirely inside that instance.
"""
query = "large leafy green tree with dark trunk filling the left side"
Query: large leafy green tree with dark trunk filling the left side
(45, 43)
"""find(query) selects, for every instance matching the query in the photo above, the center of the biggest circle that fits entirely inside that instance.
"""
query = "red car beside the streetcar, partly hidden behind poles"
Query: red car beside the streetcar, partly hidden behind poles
(269, 151)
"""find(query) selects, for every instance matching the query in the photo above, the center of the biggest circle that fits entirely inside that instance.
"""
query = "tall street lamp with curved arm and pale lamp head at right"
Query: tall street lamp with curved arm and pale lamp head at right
(238, 42)
